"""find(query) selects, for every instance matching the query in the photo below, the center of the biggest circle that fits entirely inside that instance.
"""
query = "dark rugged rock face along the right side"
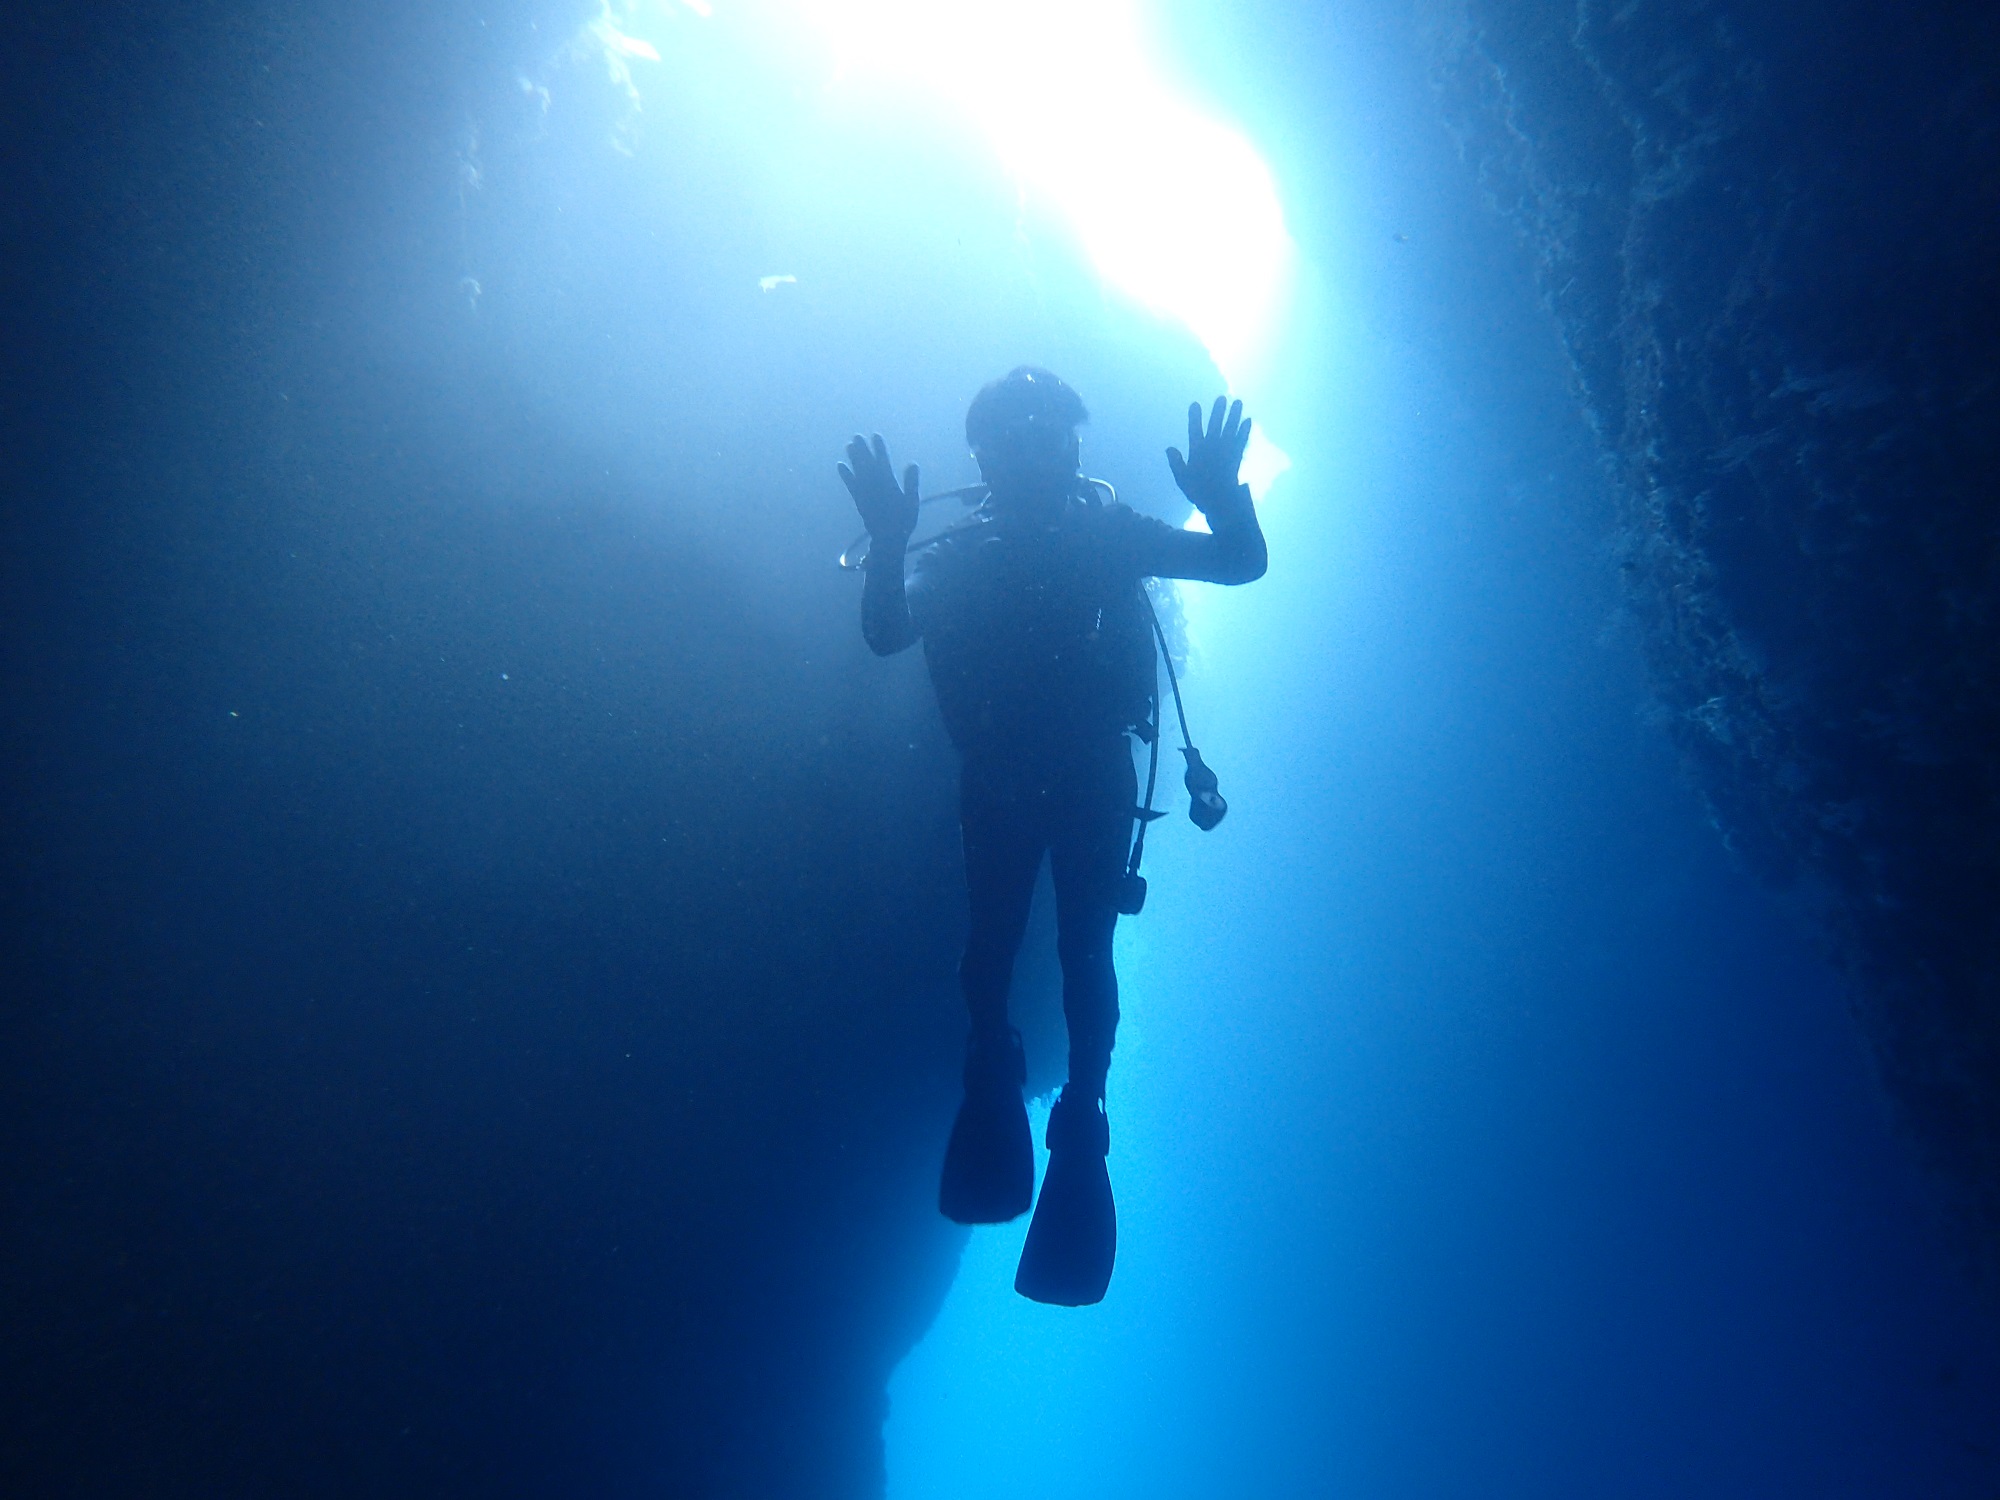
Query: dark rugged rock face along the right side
(1771, 235)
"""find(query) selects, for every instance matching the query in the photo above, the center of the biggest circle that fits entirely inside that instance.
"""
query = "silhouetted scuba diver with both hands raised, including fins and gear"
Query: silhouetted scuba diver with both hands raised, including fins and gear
(1041, 649)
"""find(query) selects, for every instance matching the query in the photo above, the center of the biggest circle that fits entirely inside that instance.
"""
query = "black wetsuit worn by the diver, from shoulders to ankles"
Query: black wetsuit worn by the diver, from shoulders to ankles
(1041, 655)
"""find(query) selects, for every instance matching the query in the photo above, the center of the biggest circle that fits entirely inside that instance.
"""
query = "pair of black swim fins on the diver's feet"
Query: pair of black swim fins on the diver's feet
(989, 1177)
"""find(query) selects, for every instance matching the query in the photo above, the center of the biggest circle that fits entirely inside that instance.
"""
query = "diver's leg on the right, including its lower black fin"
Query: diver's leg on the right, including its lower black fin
(1075, 1235)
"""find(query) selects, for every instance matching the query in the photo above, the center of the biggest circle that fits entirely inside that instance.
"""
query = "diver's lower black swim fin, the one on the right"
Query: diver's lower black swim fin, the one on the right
(1073, 1239)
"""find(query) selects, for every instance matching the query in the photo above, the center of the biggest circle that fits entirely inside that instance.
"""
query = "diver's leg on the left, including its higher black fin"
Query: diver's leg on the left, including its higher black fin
(989, 1165)
